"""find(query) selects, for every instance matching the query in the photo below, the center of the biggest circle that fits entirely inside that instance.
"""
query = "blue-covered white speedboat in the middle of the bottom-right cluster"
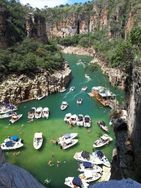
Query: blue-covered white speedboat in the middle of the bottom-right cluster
(89, 166)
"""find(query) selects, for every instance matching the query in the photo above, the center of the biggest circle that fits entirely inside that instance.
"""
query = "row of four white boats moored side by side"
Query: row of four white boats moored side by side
(79, 120)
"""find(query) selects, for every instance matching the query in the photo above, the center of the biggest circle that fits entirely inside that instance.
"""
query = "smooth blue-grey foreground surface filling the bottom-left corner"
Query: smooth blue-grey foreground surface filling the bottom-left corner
(12, 176)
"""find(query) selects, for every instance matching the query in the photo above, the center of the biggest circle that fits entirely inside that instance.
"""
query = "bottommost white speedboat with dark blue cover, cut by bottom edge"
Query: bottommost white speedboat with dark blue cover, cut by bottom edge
(75, 182)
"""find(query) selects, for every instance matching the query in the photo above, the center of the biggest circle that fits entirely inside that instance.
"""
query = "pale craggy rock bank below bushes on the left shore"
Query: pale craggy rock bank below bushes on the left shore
(23, 88)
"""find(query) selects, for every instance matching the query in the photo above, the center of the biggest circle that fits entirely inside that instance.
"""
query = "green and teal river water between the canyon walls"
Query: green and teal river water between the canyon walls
(37, 161)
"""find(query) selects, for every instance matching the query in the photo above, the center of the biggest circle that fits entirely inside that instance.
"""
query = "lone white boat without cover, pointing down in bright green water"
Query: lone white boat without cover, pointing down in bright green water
(37, 140)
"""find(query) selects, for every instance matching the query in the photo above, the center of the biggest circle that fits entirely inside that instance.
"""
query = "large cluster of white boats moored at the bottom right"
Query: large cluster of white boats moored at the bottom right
(90, 168)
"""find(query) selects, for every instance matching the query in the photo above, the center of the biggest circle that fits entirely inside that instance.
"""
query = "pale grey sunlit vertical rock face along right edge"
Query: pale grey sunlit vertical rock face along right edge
(134, 110)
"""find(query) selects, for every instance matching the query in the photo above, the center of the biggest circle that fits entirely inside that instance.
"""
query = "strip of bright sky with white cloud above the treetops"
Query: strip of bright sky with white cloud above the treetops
(50, 3)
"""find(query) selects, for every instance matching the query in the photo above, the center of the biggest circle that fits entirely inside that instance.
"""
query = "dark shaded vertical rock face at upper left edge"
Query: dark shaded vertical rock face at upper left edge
(3, 43)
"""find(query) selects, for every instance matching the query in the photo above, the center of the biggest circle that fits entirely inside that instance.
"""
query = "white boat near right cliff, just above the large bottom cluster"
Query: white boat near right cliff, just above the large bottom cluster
(102, 141)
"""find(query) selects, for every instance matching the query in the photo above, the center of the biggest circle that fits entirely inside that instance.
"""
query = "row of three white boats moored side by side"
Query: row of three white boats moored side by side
(38, 113)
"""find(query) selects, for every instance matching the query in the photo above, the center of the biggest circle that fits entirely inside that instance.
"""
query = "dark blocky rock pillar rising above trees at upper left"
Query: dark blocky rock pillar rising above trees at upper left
(36, 27)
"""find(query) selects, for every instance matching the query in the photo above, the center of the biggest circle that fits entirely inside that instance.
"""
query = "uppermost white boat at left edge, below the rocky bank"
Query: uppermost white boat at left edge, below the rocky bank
(5, 108)
